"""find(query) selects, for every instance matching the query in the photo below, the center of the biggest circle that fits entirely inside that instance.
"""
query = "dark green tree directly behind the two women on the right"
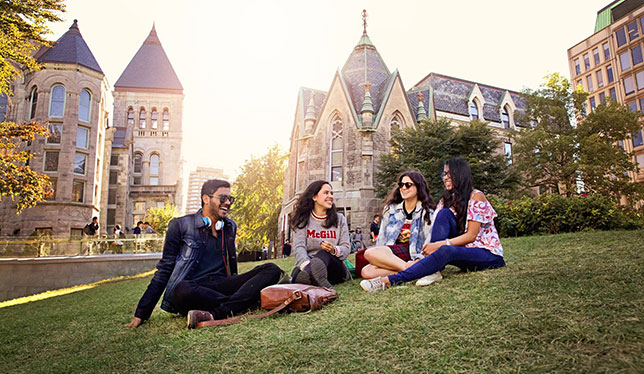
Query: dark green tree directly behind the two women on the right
(426, 147)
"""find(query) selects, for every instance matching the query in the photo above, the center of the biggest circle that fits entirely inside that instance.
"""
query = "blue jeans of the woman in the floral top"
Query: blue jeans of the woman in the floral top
(467, 259)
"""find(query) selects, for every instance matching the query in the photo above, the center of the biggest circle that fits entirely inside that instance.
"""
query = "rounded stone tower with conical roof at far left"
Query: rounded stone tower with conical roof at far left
(69, 94)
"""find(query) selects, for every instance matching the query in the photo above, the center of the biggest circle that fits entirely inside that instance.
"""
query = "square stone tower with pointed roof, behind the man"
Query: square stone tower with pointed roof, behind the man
(145, 162)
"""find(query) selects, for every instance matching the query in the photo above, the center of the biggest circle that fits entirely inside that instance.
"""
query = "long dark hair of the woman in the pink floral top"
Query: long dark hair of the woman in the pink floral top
(458, 197)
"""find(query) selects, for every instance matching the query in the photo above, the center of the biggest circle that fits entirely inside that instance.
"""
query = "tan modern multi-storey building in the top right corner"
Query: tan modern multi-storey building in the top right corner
(609, 64)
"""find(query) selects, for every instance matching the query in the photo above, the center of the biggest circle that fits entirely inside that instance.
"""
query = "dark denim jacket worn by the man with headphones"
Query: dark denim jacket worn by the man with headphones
(183, 248)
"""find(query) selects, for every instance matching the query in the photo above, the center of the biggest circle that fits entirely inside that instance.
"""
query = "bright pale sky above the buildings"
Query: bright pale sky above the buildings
(241, 63)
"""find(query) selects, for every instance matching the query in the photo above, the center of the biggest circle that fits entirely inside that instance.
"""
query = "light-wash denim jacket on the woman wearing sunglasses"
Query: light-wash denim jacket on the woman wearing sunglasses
(393, 219)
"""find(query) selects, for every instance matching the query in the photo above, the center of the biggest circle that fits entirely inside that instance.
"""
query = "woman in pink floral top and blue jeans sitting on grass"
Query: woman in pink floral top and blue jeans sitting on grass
(463, 232)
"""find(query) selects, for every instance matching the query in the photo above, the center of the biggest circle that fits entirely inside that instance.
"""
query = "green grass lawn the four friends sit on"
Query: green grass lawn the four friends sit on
(565, 303)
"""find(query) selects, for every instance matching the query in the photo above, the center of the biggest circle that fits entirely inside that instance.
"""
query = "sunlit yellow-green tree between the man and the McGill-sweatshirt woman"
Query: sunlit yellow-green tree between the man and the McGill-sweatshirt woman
(258, 197)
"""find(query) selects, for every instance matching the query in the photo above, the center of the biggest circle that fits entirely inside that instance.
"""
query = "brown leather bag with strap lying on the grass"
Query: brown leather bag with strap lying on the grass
(295, 297)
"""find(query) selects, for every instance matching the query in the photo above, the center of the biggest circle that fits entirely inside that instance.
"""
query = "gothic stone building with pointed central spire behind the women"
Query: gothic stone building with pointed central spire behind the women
(340, 135)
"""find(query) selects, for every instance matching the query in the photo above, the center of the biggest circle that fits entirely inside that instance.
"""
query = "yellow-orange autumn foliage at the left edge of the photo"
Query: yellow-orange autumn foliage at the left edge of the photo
(23, 25)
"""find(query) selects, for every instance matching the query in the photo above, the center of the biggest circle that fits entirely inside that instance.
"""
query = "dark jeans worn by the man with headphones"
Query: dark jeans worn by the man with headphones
(225, 296)
